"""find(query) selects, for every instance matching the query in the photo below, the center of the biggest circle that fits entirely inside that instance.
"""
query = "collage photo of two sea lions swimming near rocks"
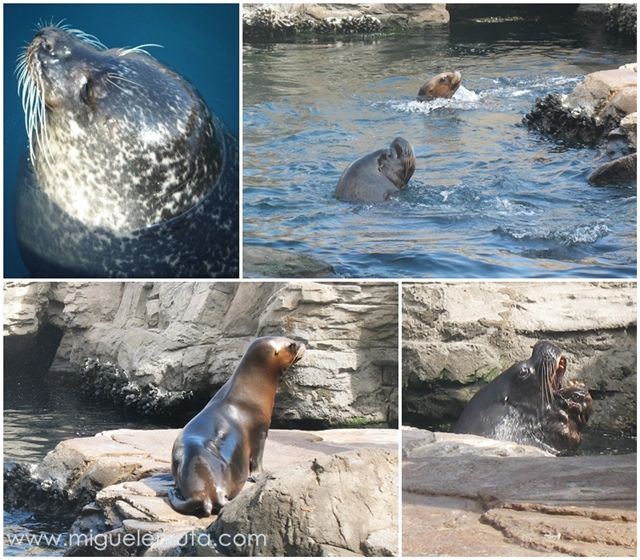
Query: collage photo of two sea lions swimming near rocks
(439, 140)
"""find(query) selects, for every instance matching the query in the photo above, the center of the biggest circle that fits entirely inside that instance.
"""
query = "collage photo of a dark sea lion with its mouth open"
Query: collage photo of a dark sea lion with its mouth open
(519, 419)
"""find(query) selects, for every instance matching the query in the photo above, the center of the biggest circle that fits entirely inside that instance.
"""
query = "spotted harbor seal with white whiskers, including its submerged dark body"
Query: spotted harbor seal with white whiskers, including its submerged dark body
(128, 173)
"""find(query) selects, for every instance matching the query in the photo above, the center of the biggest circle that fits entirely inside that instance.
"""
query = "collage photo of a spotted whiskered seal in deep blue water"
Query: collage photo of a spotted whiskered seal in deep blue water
(121, 128)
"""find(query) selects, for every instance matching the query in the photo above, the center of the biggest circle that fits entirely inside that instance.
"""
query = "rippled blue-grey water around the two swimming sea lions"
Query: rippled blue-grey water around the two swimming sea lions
(489, 198)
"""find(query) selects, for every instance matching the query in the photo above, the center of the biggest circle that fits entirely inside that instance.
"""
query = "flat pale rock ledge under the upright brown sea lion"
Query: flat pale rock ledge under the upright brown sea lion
(325, 492)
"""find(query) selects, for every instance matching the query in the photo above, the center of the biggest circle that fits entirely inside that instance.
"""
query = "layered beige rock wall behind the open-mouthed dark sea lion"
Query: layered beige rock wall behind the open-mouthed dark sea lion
(458, 336)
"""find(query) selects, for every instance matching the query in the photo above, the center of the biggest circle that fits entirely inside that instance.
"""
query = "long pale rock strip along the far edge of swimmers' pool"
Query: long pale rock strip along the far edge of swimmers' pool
(277, 20)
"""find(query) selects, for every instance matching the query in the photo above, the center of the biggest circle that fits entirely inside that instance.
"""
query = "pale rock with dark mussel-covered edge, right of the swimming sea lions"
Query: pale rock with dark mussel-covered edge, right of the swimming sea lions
(591, 111)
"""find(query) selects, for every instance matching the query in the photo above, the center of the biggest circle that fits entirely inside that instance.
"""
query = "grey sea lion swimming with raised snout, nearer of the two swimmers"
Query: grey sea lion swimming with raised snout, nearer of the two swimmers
(379, 175)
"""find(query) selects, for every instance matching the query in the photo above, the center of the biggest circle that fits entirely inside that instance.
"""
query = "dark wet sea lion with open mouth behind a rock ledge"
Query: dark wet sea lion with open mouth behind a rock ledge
(528, 404)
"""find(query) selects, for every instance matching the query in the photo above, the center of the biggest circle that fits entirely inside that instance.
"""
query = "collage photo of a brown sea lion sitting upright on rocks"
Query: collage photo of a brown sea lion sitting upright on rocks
(106, 402)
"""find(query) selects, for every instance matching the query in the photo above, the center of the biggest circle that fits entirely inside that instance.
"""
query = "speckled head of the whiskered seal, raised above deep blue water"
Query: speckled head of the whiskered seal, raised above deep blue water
(117, 140)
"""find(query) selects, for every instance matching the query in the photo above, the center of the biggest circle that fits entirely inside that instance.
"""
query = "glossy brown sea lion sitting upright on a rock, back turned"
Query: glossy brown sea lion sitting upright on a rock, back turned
(223, 444)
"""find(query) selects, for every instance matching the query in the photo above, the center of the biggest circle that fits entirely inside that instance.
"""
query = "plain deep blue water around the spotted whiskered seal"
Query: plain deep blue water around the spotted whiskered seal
(200, 42)
